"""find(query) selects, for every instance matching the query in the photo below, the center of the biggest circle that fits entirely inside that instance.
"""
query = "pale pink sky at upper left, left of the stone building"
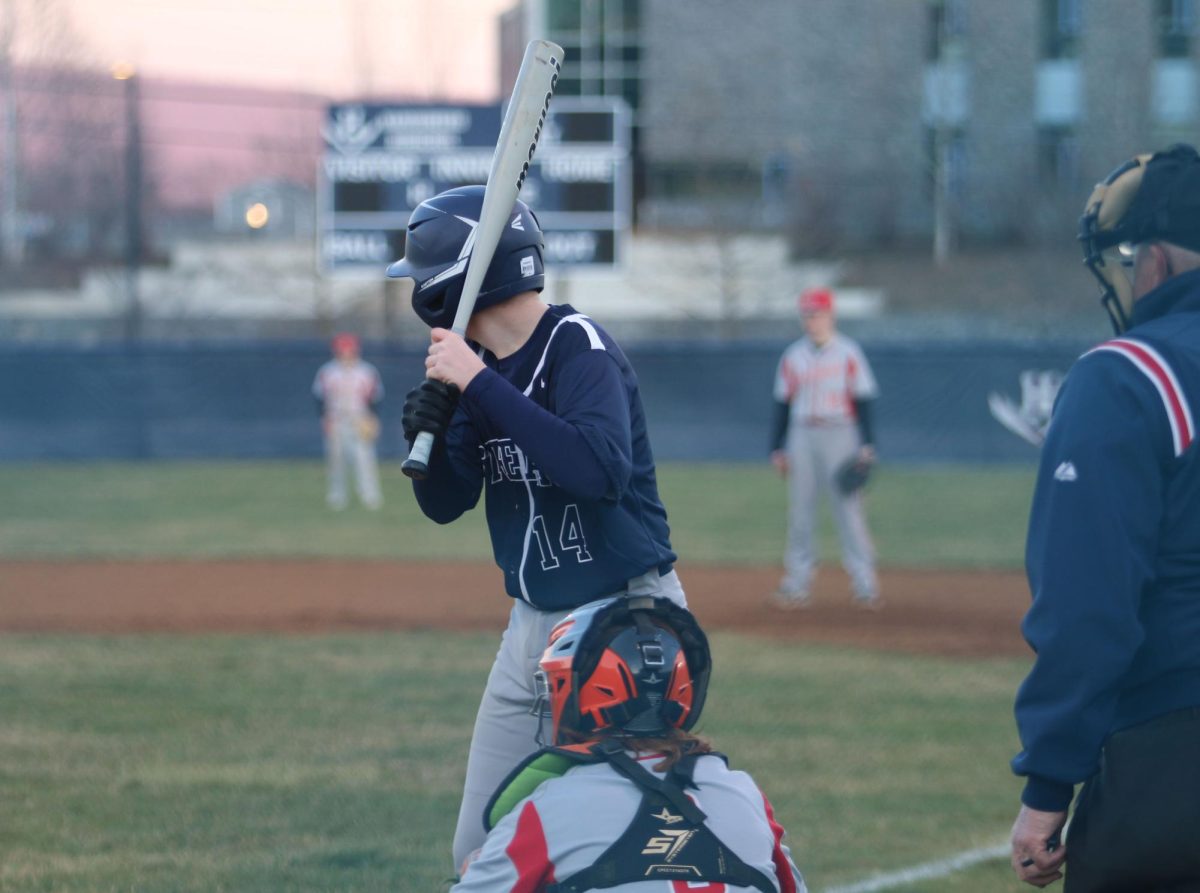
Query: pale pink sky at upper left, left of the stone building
(406, 49)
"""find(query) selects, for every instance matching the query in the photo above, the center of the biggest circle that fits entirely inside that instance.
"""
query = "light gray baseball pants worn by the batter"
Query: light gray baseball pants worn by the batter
(506, 727)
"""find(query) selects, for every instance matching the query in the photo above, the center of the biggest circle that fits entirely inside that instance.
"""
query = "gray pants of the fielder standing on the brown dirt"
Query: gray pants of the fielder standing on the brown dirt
(814, 454)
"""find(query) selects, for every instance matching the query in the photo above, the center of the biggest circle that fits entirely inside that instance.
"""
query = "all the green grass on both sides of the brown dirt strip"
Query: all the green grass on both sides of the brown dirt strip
(333, 763)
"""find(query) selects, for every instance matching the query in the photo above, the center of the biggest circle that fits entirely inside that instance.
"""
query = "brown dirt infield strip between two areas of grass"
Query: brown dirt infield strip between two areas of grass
(939, 613)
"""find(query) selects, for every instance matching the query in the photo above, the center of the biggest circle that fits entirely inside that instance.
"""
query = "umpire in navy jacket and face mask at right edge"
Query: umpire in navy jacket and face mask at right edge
(1114, 562)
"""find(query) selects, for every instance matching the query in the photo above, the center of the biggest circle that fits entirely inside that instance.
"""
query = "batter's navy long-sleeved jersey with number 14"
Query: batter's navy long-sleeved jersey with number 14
(557, 435)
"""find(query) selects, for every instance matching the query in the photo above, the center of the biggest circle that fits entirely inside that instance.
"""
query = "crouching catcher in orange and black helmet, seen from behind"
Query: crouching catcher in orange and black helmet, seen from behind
(628, 799)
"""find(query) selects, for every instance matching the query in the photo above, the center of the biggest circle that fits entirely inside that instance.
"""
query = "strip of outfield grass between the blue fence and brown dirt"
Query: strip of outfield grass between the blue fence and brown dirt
(962, 517)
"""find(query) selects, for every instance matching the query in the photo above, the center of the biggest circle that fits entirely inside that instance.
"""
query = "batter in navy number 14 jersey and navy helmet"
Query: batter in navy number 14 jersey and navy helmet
(543, 412)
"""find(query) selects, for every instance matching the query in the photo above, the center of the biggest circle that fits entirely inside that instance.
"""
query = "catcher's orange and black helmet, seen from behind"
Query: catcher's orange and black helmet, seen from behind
(632, 667)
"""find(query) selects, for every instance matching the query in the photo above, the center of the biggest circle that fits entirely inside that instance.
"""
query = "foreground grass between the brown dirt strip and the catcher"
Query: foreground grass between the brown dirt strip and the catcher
(334, 763)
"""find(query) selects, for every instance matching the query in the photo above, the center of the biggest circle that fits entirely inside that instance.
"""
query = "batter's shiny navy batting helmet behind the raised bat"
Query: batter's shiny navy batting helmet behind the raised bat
(437, 245)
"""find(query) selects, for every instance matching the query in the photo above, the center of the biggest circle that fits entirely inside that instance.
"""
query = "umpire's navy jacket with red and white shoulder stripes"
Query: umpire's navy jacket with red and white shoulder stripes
(1114, 548)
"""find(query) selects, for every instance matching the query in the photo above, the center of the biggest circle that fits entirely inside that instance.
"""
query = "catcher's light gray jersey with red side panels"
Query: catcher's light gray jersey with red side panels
(568, 823)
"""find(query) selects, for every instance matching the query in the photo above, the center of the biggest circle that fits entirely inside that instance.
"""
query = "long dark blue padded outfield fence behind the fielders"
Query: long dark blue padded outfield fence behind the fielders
(706, 401)
